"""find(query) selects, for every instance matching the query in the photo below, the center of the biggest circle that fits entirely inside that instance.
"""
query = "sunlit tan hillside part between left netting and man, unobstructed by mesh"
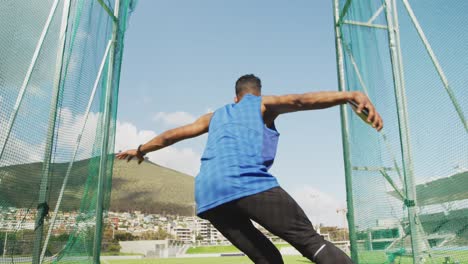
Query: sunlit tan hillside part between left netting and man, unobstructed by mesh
(151, 188)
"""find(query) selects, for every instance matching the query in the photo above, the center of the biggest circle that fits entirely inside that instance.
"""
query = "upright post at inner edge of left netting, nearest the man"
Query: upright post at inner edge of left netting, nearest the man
(105, 139)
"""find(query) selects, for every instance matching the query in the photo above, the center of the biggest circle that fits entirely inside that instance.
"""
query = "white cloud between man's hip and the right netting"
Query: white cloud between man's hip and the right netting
(319, 206)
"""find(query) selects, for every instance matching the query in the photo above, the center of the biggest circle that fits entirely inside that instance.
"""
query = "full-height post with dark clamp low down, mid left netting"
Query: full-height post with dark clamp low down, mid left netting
(45, 172)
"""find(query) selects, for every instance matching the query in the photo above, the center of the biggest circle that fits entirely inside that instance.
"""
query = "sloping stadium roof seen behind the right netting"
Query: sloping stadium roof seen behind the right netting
(442, 190)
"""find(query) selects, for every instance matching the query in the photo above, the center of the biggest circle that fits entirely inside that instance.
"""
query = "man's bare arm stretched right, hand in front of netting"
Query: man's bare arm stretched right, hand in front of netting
(276, 105)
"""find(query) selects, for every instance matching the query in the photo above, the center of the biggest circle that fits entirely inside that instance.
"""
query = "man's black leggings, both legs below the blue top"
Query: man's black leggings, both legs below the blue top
(277, 212)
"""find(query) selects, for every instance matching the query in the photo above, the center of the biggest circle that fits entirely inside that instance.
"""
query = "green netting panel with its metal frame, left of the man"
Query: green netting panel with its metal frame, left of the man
(59, 76)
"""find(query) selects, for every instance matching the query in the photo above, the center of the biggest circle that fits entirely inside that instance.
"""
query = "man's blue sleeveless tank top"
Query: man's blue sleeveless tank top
(239, 151)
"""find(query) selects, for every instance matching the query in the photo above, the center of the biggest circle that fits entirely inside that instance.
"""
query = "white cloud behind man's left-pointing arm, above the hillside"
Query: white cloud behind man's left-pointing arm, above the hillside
(185, 160)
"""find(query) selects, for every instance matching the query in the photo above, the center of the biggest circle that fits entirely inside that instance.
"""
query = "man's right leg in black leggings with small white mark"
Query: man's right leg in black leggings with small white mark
(277, 211)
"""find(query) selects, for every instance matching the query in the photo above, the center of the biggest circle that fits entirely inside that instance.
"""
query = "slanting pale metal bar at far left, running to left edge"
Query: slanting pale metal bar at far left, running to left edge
(27, 78)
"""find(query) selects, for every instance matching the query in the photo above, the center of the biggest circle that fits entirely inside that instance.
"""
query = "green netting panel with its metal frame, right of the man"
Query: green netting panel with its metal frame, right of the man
(408, 185)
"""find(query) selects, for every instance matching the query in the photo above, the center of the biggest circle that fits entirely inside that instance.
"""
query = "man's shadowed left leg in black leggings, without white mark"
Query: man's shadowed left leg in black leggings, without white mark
(238, 229)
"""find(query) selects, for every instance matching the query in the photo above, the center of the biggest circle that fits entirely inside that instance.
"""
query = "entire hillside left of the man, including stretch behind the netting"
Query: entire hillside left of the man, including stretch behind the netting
(147, 187)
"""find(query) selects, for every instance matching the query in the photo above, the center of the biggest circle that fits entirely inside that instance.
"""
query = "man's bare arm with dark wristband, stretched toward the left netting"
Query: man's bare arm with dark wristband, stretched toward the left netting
(197, 128)
